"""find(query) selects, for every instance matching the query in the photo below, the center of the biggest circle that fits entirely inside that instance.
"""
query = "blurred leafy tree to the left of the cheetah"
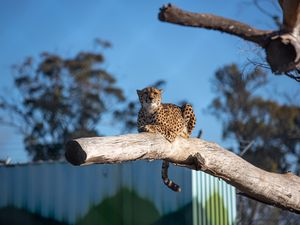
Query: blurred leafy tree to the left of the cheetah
(59, 99)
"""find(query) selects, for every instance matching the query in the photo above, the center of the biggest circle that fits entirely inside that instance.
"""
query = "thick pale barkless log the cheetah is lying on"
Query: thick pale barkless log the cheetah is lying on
(282, 190)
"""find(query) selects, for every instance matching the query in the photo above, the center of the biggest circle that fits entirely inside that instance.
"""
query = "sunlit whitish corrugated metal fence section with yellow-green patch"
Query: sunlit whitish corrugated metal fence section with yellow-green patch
(214, 201)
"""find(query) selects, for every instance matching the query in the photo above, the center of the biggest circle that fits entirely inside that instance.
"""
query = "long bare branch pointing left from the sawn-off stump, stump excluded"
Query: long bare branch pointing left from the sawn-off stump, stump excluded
(172, 14)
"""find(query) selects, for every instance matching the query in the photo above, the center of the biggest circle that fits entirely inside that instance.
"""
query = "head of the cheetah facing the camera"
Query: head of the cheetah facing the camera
(150, 98)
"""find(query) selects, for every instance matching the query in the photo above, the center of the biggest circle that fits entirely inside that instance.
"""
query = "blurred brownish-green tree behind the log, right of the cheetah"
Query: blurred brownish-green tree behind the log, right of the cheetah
(265, 131)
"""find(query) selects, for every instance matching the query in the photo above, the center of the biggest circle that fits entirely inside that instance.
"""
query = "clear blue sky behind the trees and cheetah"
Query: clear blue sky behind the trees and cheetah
(144, 49)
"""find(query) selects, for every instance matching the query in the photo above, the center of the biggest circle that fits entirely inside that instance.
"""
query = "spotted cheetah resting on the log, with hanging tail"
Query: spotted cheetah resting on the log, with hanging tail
(167, 119)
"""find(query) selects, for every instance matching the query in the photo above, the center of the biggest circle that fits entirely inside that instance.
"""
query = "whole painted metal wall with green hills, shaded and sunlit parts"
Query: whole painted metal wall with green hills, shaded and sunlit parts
(130, 193)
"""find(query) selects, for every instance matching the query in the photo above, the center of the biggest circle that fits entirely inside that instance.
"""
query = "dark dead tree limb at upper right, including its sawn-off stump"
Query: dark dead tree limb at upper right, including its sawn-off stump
(282, 46)
